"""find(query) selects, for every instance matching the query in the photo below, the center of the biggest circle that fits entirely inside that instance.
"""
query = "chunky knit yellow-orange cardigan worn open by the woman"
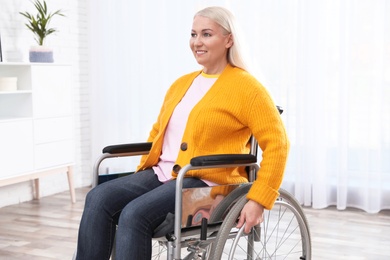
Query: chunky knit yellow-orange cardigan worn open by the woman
(221, 123)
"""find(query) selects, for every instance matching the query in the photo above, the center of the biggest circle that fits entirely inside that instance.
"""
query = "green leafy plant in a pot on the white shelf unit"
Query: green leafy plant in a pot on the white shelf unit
(39, 25)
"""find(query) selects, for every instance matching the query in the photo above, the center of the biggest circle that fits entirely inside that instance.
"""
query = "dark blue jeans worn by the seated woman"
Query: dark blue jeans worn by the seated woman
(137, 203)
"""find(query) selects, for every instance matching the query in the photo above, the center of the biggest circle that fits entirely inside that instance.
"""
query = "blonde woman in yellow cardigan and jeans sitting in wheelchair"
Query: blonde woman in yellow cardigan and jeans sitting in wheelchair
(211, 111)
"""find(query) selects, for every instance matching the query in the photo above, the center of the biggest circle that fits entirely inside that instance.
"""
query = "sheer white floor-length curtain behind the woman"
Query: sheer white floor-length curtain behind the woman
(326, 62)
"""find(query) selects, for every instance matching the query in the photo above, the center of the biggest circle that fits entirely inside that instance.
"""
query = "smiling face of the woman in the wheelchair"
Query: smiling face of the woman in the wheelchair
(209, 45)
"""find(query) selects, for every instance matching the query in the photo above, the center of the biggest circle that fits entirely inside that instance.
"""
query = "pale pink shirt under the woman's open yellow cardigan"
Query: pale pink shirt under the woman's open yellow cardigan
(177, 124)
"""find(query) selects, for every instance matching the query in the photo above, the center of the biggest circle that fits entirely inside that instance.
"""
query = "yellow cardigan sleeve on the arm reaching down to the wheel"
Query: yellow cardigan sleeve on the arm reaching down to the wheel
(267, 127)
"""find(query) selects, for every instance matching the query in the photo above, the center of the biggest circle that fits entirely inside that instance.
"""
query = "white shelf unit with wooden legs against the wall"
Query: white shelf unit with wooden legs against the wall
(36, 124)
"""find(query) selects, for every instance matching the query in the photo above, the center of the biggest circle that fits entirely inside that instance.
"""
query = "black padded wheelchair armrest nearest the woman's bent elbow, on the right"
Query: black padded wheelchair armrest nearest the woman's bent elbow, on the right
(221, 159)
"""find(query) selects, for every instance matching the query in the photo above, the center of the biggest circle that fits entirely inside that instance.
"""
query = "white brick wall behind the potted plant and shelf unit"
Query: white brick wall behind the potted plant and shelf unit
(70, 46)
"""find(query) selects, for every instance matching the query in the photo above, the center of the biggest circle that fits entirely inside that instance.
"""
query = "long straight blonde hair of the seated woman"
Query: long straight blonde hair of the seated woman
(226, 20)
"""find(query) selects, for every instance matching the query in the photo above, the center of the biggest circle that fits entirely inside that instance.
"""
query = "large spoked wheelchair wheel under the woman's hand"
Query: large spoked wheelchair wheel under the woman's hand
(284, 234)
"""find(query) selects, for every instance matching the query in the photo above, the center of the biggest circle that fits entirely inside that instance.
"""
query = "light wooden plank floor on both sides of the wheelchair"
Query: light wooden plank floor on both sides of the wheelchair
(47, 229)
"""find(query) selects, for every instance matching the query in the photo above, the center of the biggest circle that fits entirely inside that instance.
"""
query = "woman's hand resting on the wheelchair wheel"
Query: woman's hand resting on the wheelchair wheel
(251, 214)
